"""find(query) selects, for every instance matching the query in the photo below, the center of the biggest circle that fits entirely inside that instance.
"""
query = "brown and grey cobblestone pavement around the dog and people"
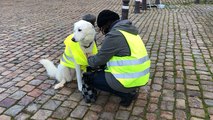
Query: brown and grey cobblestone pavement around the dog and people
(179, 40)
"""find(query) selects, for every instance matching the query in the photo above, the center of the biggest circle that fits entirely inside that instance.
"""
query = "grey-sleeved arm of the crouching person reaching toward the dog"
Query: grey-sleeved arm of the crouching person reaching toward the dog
(114, 44)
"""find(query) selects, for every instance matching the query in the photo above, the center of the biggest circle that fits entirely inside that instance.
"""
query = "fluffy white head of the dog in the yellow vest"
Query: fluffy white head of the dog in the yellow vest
(84, 32)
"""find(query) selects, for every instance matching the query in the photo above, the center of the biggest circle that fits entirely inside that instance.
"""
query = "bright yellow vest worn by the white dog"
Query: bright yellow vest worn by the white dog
(73, 52)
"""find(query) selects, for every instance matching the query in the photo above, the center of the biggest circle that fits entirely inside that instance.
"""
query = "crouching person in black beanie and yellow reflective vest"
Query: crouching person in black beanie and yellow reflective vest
(125, 56)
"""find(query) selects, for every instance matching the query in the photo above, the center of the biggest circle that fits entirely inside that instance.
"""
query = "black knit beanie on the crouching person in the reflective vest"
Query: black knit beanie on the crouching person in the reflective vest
(105, 16)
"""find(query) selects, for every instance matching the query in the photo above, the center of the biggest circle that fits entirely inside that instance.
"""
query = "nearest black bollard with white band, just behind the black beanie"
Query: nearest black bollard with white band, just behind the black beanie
(125, 9)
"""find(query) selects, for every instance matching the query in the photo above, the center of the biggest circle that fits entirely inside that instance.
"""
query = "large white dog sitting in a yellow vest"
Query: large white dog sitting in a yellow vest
(74, 61)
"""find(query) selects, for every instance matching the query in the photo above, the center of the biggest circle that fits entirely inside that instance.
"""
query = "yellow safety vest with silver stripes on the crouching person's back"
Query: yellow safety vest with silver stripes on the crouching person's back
(133, 70)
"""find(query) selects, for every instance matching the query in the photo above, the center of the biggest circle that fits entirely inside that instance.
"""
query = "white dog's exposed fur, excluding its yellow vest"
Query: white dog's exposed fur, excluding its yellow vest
(84, 33)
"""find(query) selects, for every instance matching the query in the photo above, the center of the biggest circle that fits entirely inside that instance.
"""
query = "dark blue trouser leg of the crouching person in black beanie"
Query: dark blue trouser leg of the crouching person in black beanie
(99, 81)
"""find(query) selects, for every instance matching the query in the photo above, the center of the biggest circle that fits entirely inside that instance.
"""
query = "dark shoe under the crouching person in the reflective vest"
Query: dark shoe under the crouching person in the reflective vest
(125, 102)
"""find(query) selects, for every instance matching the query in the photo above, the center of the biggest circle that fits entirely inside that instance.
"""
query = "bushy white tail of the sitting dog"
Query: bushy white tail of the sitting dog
(50, 67)
